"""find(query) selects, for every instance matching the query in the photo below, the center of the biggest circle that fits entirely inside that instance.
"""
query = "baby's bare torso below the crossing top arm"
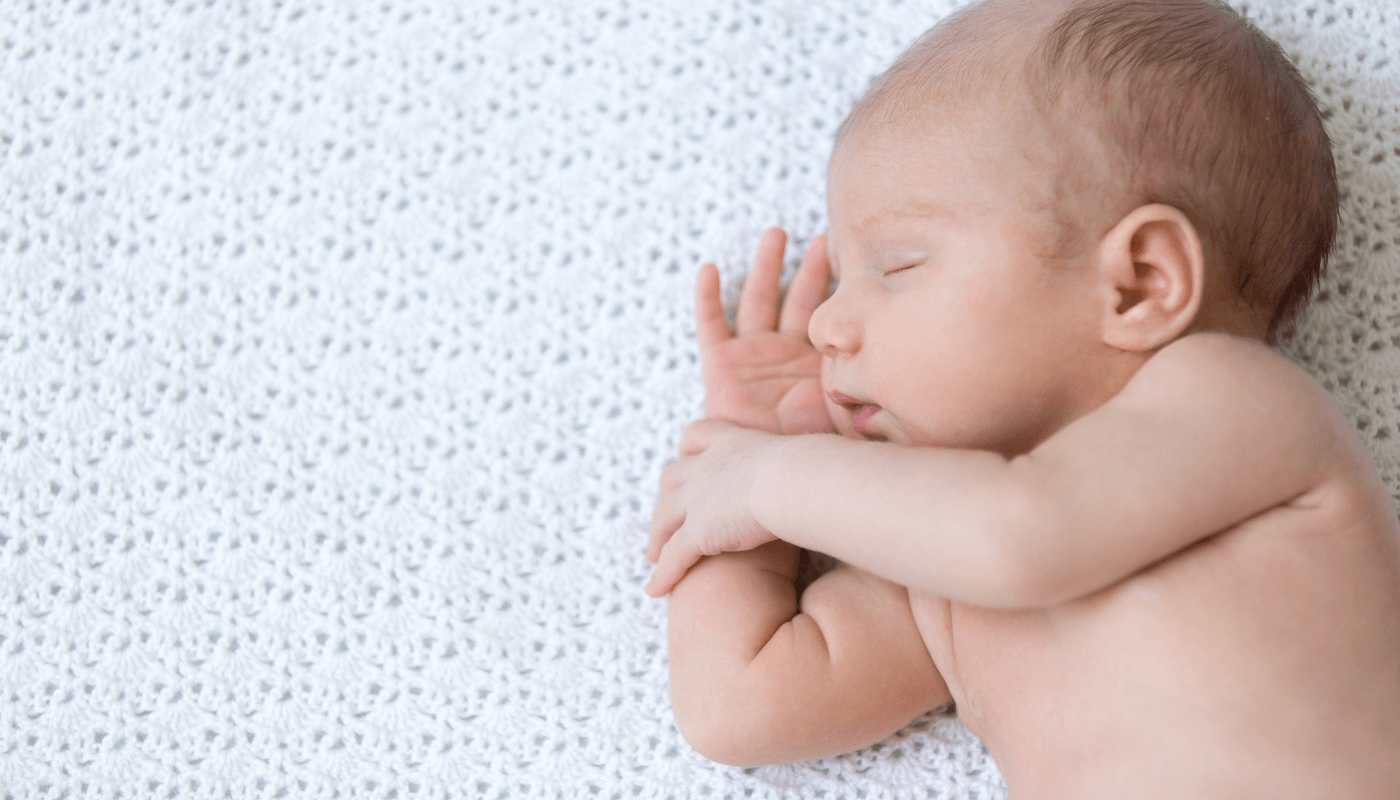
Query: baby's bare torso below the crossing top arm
(1265, 662)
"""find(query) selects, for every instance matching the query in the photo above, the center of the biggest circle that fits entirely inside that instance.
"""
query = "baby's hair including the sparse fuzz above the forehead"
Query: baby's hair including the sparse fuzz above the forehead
(1189, 102)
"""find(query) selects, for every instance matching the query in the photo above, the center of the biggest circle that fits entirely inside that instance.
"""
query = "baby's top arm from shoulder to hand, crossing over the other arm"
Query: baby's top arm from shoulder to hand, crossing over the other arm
(1209, 434)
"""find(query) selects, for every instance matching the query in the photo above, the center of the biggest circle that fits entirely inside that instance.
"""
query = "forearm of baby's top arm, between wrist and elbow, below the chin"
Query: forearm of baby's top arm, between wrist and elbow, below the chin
(929, 519)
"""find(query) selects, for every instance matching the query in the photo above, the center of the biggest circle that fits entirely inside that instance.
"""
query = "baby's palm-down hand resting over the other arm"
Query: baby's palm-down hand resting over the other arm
(703, 508)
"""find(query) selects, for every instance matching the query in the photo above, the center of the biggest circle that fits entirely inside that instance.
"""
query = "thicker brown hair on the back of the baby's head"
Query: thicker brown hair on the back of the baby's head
(1210, 117)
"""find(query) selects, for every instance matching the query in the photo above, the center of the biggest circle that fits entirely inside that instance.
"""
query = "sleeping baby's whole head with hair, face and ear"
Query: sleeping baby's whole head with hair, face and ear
(1072, 186)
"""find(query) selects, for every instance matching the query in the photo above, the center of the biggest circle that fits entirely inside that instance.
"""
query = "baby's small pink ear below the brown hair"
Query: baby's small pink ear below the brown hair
(1151, 273)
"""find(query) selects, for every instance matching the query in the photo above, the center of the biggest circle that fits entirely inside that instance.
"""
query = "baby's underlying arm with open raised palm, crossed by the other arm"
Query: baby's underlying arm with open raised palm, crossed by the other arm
(758, 677)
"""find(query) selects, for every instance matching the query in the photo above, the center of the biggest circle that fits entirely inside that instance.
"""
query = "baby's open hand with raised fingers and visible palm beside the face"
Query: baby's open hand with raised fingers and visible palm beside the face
(766, 375)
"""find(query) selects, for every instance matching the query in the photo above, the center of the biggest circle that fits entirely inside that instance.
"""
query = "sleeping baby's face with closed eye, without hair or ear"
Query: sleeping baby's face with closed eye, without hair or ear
(947, 329)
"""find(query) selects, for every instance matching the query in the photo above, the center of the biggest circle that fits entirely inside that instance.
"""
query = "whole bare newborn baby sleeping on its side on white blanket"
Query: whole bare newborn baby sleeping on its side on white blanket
(1144, 556)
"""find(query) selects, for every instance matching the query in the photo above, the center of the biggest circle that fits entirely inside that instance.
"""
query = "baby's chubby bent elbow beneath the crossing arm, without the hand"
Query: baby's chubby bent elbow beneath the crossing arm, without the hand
(759, 677)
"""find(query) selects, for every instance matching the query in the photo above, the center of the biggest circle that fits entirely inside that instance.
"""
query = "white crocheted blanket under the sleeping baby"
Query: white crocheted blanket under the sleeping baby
(342, 345)
